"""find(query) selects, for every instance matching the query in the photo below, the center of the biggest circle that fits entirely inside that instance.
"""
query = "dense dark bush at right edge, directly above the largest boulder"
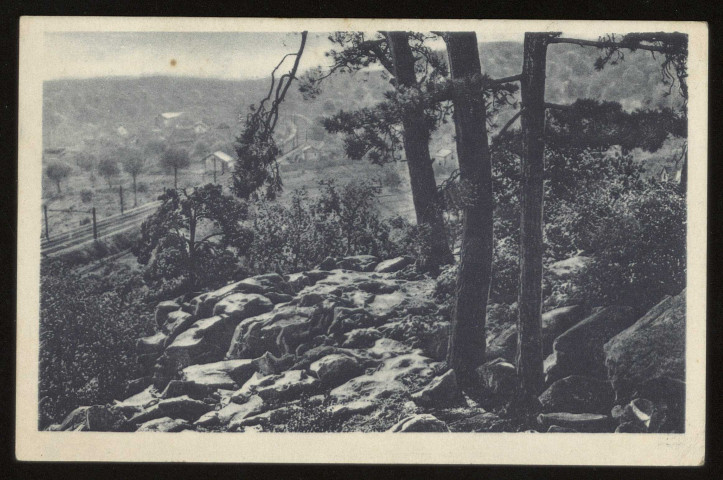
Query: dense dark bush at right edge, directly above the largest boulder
(639, 248)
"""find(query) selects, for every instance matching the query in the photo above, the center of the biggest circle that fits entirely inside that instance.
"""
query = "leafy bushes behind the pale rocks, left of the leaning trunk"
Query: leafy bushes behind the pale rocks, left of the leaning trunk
(342, 221)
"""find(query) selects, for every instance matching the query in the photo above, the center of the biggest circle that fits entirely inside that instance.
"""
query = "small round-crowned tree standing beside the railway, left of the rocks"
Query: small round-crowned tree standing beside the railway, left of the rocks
(193, 235)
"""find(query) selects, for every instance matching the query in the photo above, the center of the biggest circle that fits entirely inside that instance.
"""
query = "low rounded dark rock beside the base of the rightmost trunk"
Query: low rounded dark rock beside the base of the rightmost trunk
(578, 394)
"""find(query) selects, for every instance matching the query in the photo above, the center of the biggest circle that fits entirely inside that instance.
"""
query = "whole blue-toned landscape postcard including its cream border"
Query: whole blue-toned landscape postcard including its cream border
(242, 230)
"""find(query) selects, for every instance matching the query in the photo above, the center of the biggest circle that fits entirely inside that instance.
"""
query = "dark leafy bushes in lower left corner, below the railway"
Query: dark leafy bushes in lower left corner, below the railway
(87, 339)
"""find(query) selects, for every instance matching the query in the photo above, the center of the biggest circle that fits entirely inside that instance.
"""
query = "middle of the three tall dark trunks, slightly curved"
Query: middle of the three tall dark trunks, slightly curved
(467, 341)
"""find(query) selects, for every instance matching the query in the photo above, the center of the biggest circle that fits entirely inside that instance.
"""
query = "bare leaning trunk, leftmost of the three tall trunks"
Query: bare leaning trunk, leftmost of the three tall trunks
(427, 204)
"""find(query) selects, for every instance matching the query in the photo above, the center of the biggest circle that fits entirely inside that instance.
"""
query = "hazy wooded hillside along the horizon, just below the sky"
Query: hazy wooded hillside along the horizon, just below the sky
(75, 110)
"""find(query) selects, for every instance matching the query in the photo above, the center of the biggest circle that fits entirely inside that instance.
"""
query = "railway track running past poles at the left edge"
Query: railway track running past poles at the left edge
(81, 237)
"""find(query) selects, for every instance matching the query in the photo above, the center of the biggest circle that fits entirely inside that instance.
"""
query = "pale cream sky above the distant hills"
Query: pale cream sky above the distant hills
(226, 55)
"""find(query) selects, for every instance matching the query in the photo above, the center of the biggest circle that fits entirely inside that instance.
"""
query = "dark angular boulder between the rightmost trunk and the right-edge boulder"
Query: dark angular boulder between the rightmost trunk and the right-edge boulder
(579, 351)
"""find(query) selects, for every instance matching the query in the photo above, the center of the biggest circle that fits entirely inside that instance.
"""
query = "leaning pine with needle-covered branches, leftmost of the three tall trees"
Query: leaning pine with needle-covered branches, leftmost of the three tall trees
(374, 132)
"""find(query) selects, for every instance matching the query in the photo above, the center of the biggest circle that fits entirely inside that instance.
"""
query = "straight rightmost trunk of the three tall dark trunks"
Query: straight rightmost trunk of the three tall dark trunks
(529, 321)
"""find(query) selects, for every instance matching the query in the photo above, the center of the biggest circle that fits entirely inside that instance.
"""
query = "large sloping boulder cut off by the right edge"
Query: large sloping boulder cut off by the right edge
(653, 347)
